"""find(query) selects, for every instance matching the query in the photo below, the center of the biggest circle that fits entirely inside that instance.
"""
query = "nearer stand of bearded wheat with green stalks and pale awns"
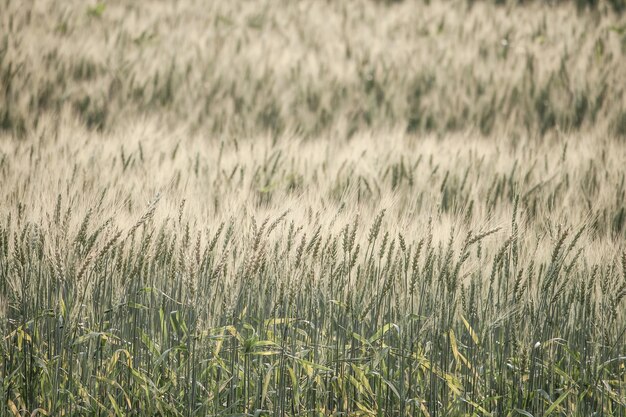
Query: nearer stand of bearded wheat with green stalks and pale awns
(400, 276)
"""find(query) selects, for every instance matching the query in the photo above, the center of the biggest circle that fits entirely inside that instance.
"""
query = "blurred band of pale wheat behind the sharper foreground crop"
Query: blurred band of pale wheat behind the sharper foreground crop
(317, 67)
